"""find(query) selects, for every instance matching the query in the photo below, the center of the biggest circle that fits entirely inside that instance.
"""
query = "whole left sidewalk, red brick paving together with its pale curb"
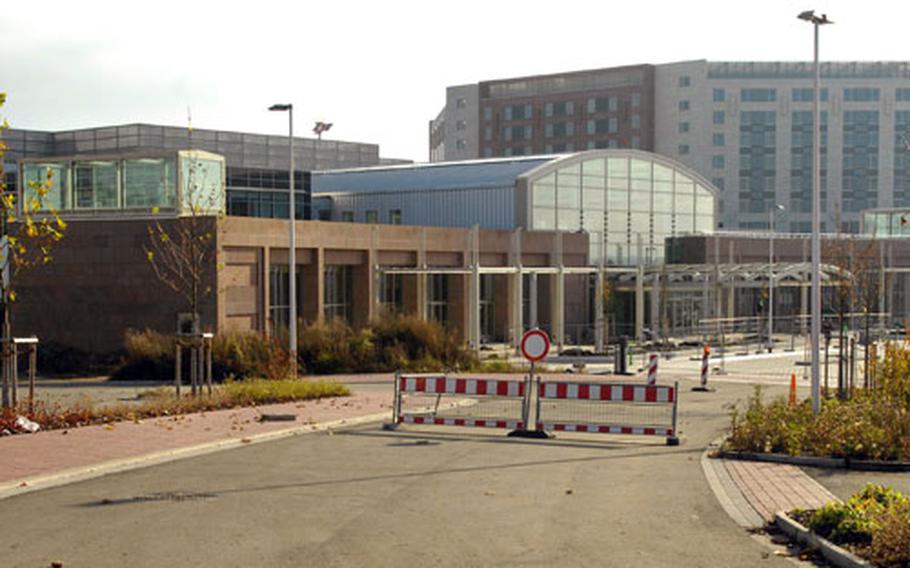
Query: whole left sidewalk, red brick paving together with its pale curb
(31, 461)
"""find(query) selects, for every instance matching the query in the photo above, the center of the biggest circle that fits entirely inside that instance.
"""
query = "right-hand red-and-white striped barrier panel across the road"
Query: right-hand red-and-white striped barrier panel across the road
(609, 408)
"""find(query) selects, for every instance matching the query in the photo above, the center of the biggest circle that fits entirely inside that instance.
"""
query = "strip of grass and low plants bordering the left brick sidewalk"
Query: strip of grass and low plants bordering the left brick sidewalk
(163, 402)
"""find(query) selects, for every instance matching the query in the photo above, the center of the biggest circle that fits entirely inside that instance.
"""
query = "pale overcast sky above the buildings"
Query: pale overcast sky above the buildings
(376, 70)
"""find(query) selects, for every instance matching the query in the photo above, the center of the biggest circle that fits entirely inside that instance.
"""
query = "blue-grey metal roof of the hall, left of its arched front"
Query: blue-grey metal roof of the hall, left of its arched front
(421, 177)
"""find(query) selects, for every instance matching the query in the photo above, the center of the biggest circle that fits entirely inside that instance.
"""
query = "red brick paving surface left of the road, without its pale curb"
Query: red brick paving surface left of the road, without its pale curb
(26, 456)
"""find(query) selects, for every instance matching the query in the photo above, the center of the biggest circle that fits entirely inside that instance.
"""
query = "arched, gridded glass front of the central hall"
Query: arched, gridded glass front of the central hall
(628, 203)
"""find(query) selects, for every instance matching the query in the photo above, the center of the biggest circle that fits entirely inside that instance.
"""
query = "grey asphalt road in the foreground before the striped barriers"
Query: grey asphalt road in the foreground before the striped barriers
(409, 498)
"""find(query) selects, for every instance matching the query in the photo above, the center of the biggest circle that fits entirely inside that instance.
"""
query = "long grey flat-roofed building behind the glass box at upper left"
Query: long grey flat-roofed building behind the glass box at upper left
(257, 164)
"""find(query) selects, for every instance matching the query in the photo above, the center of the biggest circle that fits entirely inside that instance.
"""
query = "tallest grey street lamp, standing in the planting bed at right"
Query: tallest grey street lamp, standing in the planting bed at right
(816, 303)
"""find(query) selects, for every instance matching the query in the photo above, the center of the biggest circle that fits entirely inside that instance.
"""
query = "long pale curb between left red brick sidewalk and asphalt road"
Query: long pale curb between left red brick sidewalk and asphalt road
(73, 475)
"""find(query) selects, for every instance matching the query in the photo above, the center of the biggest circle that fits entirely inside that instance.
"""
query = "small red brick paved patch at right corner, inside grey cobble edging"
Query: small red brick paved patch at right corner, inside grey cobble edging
(773, 487)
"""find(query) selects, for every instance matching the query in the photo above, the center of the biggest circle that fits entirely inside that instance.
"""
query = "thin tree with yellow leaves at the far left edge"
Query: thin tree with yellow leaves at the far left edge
(28, 230)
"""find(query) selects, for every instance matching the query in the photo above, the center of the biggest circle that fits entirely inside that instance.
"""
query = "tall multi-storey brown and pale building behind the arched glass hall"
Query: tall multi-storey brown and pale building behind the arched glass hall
(746, 126)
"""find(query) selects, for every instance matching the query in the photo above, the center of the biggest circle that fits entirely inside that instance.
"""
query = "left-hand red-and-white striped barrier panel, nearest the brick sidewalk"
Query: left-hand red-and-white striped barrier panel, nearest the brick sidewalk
(439, 400)
